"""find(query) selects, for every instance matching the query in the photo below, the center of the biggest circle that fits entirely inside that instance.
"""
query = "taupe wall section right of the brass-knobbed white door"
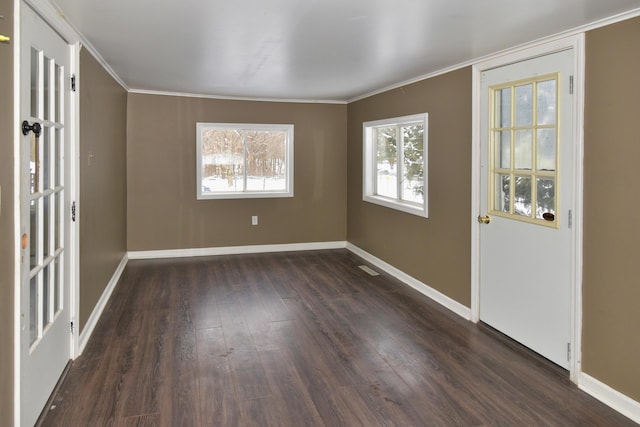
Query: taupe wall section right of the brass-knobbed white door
(611, 287)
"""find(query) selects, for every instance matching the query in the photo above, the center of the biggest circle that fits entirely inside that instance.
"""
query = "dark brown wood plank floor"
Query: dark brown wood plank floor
(302, 339)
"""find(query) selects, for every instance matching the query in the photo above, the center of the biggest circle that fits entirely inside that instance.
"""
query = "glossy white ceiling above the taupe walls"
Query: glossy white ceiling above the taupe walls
(328, 50)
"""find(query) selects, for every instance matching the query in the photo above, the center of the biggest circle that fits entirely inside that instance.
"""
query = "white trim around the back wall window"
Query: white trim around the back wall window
(289, 159)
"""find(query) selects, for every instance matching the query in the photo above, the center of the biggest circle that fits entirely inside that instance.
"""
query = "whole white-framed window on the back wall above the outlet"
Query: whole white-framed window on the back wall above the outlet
(244, 160)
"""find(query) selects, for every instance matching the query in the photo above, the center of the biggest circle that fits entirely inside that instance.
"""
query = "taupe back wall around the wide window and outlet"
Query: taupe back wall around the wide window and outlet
(163, 212)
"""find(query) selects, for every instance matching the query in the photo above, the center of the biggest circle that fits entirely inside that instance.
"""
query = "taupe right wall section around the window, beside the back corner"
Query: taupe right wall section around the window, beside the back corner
(434, 250)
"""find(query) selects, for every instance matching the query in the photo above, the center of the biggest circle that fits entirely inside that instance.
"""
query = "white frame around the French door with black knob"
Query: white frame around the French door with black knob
(53, 18)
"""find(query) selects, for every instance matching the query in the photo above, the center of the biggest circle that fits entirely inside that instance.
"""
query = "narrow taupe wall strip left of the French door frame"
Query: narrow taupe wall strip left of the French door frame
(7, 238)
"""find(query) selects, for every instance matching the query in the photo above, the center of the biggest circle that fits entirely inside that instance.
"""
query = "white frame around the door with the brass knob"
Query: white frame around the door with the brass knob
(522, 53)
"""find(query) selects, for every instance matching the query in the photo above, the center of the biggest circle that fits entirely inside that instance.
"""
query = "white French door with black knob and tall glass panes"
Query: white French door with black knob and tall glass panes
(45, 214)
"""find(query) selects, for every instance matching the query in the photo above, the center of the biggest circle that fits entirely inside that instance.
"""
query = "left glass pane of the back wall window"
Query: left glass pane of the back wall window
(222, 160)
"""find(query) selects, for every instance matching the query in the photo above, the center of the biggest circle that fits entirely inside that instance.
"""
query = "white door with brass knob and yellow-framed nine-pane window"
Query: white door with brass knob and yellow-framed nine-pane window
(526, 203)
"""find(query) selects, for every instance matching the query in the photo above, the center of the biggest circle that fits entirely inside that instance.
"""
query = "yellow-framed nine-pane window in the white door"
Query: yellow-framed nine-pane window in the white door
(524, 142)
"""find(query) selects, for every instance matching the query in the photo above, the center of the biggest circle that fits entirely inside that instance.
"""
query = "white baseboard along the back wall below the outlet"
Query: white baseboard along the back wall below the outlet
(234, 250)
